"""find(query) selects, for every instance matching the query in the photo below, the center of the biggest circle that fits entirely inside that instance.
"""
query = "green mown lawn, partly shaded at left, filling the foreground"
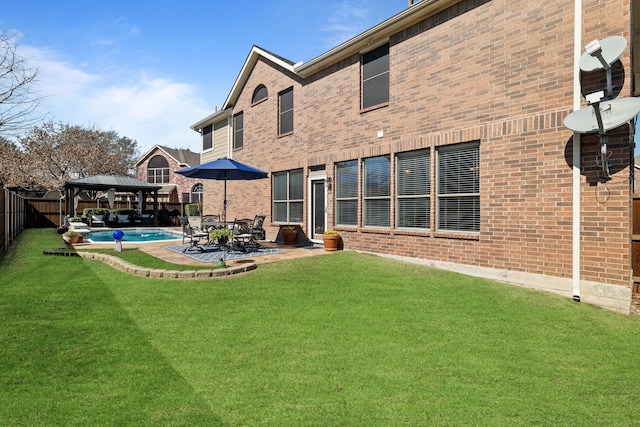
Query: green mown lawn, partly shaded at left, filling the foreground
(341, 339)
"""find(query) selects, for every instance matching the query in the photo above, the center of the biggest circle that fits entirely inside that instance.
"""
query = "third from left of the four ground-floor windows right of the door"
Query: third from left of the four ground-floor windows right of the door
(413, 188)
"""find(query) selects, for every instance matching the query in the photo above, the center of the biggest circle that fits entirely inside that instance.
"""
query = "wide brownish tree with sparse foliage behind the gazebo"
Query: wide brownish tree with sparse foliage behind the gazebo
(54, 153)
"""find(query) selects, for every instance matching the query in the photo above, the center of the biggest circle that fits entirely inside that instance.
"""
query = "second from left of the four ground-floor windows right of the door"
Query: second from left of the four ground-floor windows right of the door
(377, 192)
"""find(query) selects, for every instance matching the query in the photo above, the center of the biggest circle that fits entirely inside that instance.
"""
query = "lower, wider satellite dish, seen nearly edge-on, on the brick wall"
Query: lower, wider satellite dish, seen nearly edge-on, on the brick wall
(614, 113)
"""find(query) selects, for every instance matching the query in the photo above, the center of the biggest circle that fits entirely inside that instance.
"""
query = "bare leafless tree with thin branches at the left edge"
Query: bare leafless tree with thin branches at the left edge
(17, 100)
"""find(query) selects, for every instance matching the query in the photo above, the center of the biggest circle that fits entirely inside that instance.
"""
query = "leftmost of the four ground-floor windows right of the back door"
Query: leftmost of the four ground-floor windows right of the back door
(347, 193)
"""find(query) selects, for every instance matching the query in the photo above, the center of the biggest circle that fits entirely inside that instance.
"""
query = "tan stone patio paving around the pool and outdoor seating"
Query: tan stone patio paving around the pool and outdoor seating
(158, 250)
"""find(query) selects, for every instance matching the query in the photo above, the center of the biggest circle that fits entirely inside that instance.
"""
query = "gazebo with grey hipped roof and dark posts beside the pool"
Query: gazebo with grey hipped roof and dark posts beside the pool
(111, 184)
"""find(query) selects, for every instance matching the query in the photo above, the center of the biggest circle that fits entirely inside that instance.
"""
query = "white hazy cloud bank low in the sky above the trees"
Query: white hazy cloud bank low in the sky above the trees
(148, 109)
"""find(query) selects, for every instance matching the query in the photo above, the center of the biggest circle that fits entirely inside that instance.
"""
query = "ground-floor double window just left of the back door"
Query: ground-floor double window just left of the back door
(288, 196)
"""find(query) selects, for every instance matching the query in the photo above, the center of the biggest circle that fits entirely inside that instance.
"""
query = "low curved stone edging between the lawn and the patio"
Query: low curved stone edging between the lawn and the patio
(127, 267)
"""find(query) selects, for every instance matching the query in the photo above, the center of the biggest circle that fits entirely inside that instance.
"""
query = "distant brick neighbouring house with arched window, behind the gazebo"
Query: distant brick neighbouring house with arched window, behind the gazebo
(158, 166)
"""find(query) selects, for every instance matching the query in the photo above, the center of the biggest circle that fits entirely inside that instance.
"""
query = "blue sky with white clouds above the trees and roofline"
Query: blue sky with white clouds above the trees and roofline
(148, 70)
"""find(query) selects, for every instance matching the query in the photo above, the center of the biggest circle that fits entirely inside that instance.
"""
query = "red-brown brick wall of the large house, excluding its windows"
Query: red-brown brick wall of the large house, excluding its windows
(500, 73)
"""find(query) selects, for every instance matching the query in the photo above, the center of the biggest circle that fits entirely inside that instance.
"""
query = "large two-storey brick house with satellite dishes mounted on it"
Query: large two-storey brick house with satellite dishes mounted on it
(437, 135)
